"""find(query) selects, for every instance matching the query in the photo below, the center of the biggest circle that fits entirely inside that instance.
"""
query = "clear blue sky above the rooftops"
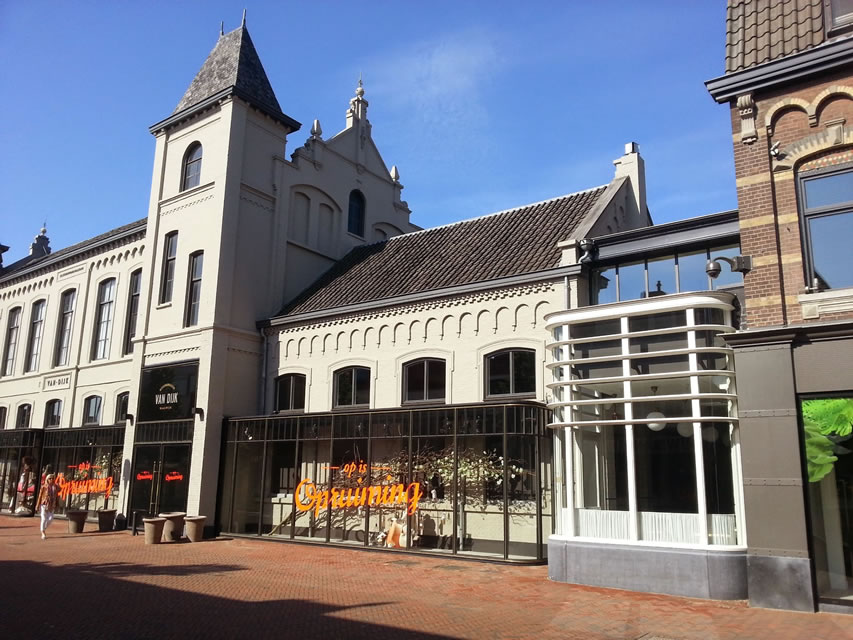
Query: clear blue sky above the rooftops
(482, 106)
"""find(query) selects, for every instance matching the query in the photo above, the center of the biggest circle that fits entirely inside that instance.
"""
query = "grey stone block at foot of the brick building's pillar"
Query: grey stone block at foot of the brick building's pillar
(780, 583)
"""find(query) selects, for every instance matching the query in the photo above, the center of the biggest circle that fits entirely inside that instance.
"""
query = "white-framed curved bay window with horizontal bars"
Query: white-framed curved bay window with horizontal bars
(645, 410)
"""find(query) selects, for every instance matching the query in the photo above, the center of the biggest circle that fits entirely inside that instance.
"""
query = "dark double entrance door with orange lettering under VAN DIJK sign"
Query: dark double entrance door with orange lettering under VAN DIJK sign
(160, 478)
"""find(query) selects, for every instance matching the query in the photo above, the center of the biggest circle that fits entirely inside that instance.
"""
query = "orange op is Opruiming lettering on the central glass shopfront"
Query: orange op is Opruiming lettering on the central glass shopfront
(309, 497)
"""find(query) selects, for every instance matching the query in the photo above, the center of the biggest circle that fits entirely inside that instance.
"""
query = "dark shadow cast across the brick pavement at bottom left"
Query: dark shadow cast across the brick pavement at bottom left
(93, 601)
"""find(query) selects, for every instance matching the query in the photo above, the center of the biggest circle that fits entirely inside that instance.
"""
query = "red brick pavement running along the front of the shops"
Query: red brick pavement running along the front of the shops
(111, 585)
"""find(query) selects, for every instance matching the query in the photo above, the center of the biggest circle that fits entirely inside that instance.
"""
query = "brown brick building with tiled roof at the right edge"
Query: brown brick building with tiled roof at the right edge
(789, 85)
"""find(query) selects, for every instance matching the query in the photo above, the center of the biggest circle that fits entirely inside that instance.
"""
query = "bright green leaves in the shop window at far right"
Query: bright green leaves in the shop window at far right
(827, 422)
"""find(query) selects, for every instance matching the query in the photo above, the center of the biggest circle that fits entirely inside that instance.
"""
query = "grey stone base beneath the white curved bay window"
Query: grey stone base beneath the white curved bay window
(697, 573)
